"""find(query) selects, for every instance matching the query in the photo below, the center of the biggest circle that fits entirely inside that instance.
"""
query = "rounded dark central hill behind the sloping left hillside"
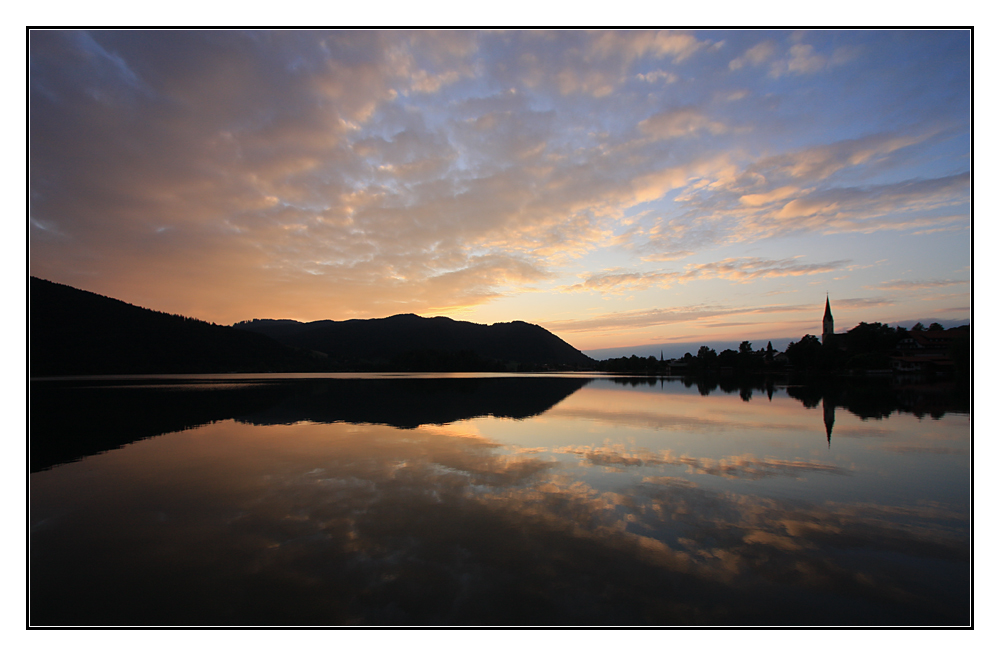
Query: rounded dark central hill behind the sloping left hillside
(408, 342)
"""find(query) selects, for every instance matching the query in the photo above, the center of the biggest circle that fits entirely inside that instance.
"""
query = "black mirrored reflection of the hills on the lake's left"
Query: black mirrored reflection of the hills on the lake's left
(71, 419)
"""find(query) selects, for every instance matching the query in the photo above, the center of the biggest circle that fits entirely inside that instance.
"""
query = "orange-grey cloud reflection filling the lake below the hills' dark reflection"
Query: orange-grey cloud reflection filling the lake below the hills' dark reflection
(367, 524)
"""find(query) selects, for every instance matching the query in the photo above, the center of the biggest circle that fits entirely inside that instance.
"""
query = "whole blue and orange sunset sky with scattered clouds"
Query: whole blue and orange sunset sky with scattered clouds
(618, 188)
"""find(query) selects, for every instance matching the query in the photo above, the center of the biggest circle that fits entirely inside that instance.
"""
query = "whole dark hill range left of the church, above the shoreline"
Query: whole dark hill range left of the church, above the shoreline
(75, 332)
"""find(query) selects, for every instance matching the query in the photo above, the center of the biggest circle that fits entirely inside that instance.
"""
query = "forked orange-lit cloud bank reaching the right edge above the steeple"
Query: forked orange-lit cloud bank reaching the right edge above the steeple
(794, 193)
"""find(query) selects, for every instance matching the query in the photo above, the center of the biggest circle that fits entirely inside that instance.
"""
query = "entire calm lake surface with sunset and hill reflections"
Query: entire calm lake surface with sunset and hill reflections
(495, 501)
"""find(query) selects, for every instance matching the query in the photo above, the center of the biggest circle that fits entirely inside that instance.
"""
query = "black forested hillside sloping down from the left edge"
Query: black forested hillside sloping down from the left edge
(74, 332)
